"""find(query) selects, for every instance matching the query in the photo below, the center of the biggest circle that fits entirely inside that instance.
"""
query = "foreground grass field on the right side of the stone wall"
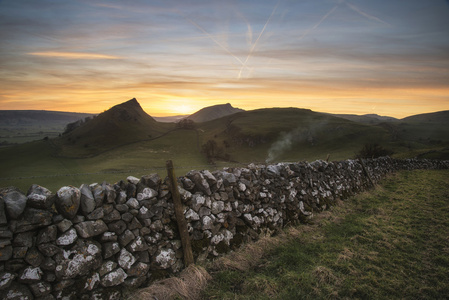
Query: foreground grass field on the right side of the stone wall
(389, 243)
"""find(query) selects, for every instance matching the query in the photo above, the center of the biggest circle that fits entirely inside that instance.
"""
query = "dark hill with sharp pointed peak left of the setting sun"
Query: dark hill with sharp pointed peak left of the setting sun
(120, 125)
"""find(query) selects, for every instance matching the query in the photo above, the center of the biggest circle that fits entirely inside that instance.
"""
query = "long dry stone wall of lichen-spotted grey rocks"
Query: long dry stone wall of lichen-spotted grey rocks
(97, 240)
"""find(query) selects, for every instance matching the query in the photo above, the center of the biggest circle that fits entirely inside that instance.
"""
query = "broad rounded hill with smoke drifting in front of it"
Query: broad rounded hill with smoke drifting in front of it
(287, 134)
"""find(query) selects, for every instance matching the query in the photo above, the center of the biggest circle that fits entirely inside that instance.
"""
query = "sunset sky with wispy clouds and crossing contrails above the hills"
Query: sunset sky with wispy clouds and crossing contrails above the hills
(387, 57)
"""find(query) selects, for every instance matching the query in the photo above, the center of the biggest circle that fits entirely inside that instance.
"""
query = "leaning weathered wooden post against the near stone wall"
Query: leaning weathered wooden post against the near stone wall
(179, 213)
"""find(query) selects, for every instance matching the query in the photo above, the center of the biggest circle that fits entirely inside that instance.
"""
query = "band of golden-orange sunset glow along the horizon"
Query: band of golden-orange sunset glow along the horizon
(397, 103)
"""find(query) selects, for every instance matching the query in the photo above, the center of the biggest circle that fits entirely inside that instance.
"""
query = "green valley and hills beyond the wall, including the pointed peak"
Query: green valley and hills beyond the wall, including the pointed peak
(124, 140)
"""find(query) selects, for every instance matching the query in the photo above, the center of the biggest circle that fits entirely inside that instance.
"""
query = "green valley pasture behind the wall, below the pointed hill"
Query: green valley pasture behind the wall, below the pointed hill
(37, 159)
